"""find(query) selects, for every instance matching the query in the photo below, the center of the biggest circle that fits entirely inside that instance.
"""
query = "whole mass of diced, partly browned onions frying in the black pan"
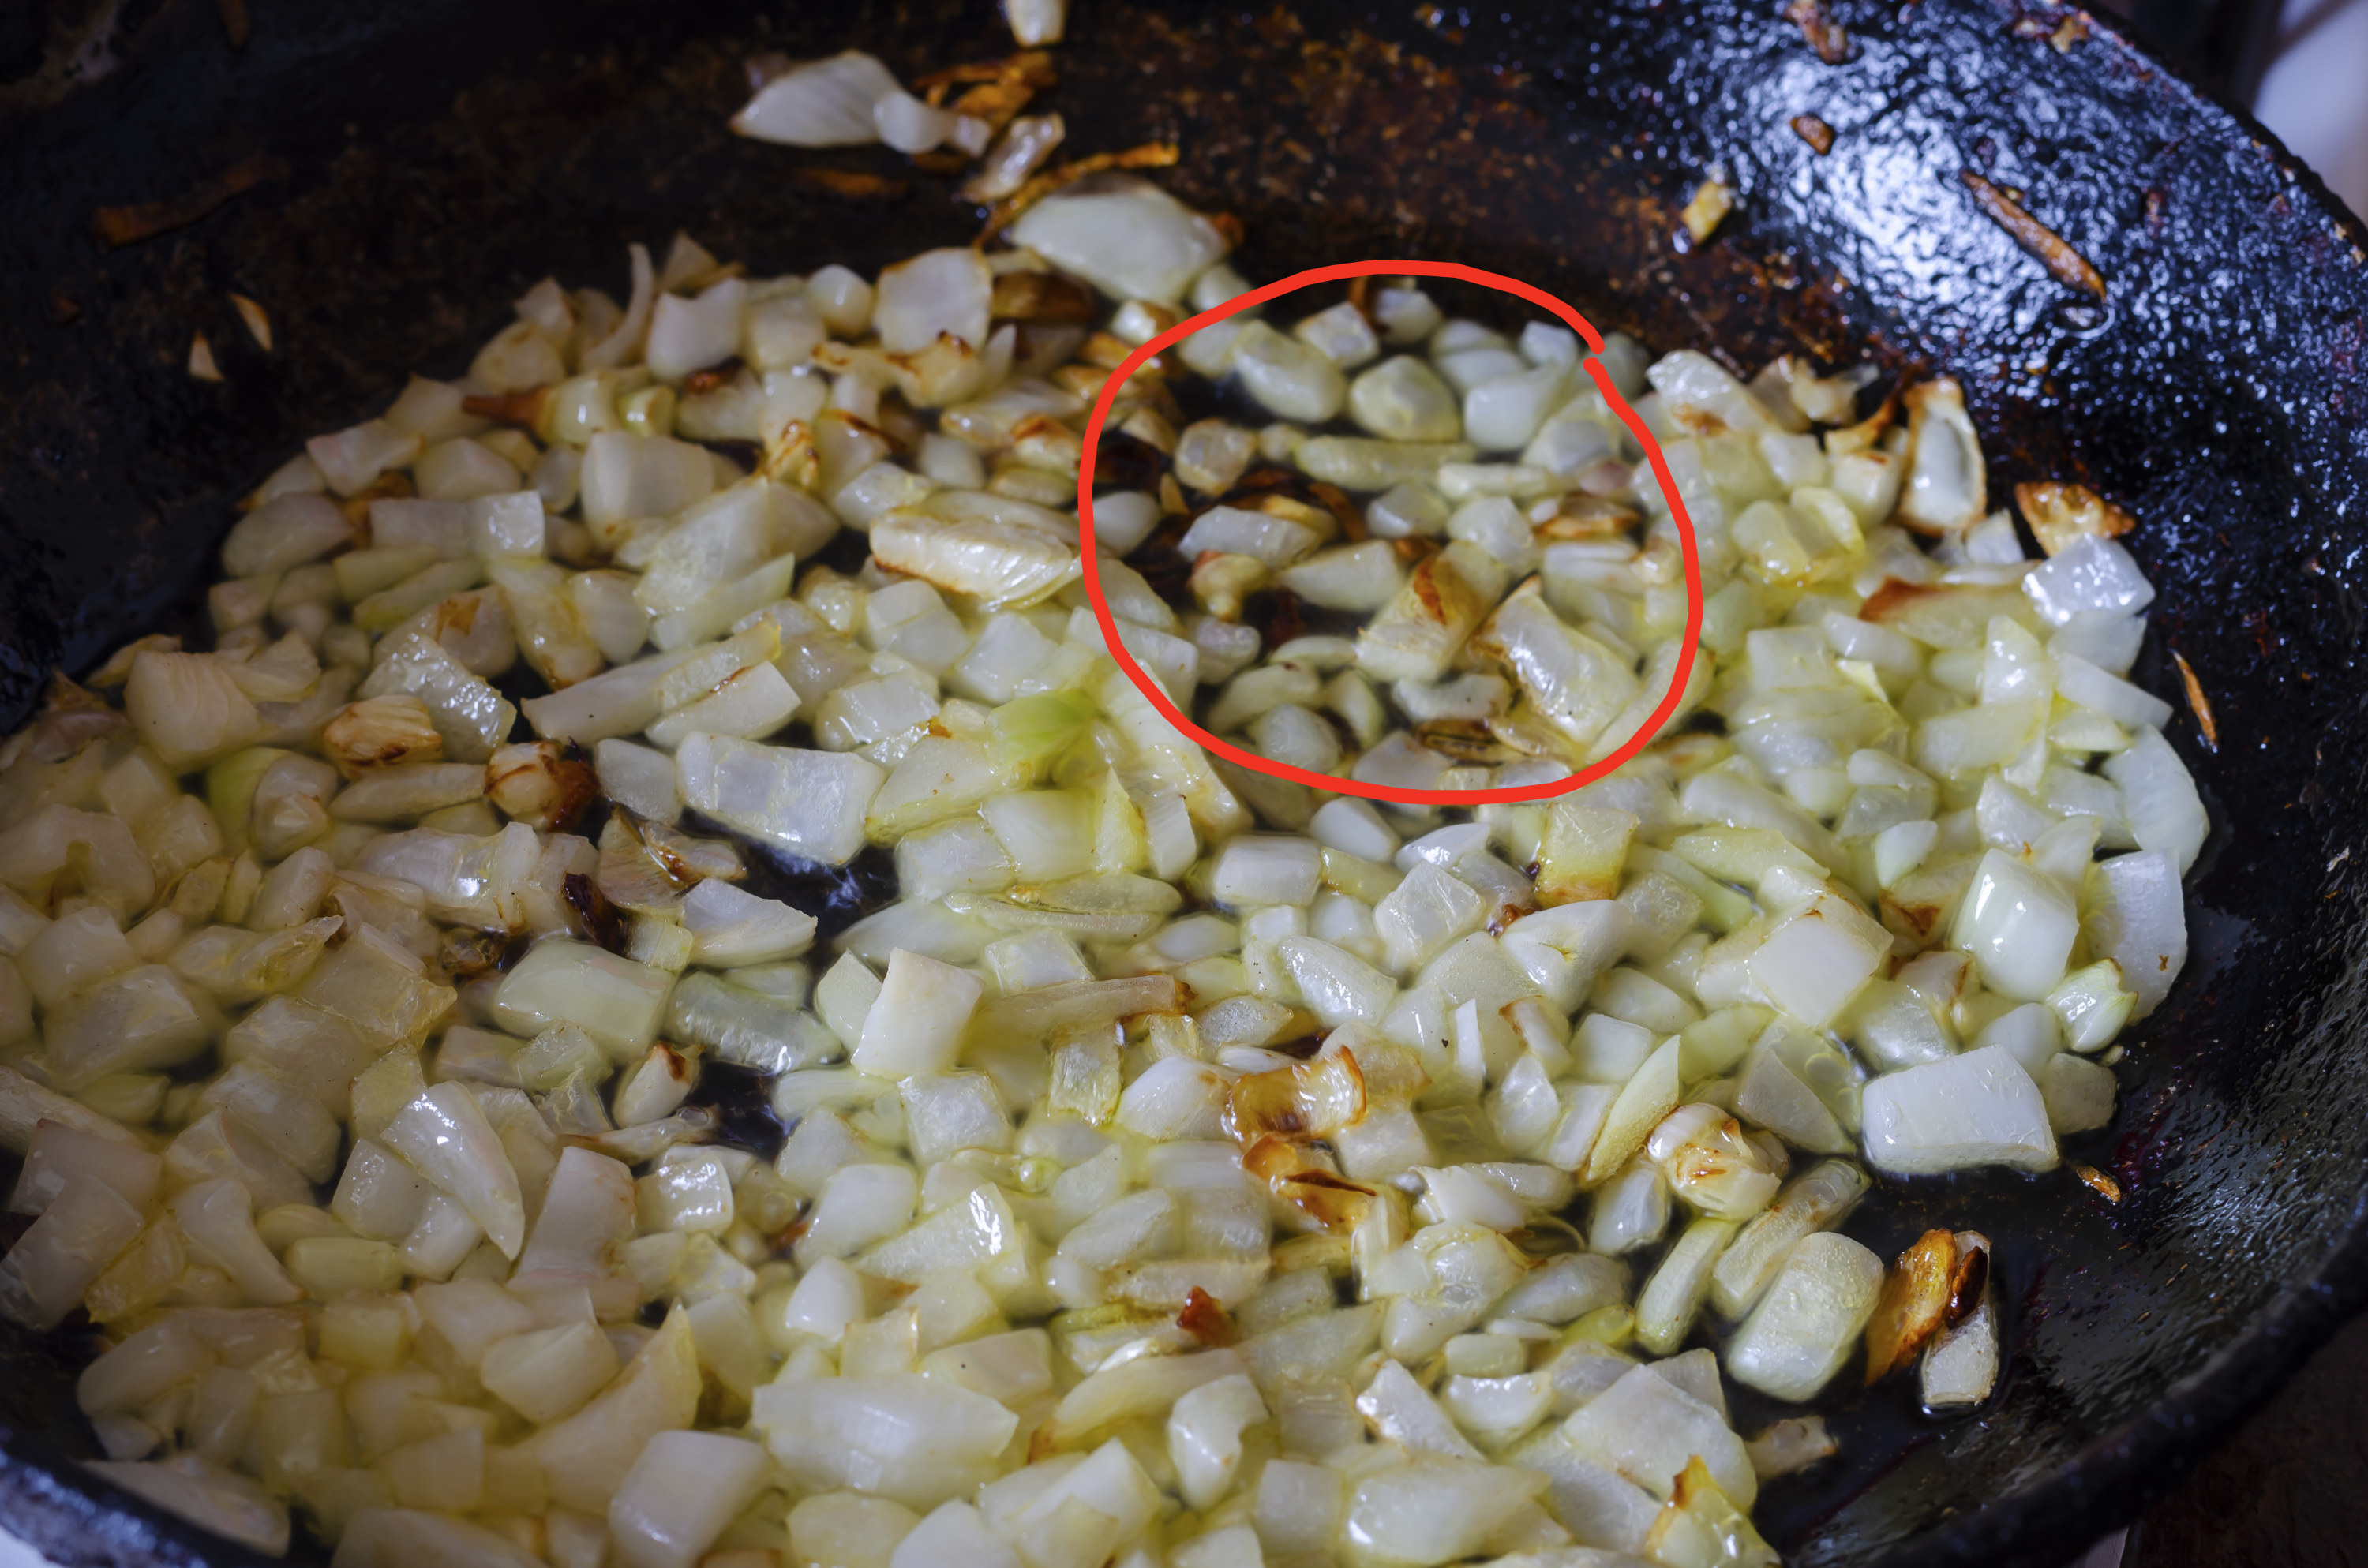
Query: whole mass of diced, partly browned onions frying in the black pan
(1180, 1164)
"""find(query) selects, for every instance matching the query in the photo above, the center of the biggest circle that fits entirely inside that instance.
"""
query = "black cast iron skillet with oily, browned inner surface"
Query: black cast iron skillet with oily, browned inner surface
(418, 167)
